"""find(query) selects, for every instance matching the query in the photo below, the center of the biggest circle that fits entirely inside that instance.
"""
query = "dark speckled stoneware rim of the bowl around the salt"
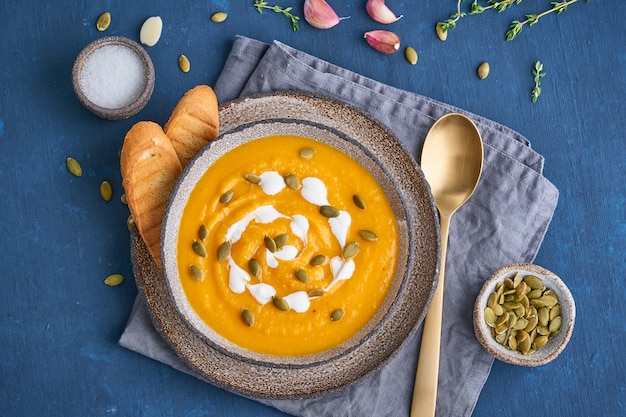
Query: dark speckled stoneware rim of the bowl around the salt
(122, 112)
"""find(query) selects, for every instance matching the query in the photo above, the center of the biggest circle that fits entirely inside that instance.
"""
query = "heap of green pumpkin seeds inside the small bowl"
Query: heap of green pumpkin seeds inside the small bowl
(522, 313)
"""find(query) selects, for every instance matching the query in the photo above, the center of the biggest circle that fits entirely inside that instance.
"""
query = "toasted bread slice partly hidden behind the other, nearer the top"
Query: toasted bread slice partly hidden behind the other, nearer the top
(194, 122)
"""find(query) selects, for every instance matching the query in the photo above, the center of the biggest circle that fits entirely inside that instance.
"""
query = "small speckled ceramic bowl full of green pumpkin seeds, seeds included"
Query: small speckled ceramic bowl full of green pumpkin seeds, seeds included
(524, 315)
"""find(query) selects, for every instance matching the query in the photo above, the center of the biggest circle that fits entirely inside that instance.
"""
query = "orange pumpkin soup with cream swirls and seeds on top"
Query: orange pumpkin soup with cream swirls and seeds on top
(251, 237)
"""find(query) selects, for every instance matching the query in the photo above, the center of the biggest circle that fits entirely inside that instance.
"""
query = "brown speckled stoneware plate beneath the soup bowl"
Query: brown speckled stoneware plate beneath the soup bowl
(262, 380)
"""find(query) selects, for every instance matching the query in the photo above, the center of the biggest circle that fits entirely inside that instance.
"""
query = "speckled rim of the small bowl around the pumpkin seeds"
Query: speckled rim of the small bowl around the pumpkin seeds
(555, 345)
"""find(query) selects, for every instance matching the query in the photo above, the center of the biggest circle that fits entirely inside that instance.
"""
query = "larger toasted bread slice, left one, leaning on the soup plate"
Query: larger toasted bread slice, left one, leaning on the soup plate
(150, 168)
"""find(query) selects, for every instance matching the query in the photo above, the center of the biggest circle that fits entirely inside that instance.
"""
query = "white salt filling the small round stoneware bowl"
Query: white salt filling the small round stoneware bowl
(113, 76)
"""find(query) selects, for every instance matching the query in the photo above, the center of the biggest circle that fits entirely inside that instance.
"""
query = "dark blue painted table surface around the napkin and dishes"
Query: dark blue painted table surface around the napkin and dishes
(58, 239)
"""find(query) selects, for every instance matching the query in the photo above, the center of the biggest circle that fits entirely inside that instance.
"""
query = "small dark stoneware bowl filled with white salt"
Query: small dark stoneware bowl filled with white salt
(113, 77)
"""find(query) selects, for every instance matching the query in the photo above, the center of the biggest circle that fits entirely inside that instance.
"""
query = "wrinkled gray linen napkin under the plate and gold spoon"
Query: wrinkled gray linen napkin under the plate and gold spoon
(503, 222)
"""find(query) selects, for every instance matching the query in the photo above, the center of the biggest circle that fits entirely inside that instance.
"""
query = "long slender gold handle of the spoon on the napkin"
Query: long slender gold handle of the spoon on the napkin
(425, 389)
